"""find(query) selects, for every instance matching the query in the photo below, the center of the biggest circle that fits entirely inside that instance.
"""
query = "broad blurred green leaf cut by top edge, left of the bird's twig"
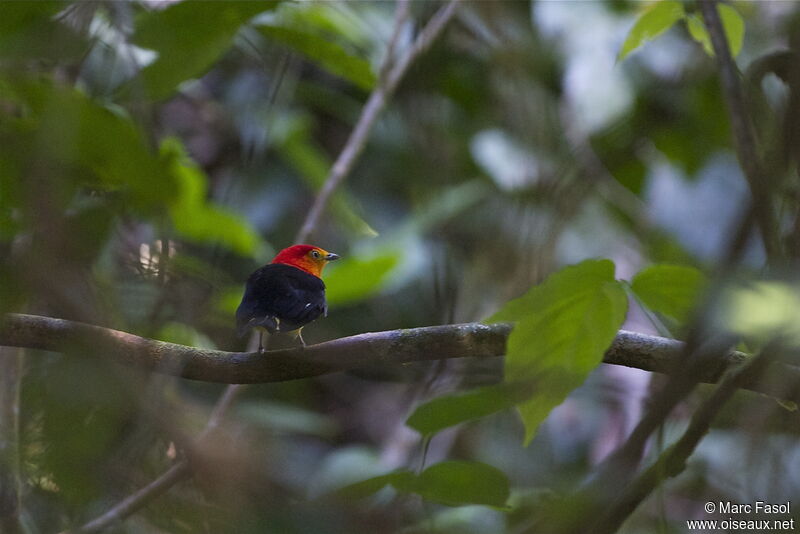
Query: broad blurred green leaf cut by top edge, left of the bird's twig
(189, 37)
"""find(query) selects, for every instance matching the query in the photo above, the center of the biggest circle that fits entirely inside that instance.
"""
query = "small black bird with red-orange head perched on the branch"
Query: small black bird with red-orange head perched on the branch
(286, 294)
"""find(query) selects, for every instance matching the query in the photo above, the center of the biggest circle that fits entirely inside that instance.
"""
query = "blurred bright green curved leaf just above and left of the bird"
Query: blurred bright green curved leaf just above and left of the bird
(196, 218)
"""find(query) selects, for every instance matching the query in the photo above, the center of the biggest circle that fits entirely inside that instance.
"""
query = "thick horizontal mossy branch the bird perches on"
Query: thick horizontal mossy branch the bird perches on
(476, 340)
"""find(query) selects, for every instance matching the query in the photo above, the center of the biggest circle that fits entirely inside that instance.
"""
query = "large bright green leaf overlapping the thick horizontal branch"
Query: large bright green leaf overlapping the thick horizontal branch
(564, 327)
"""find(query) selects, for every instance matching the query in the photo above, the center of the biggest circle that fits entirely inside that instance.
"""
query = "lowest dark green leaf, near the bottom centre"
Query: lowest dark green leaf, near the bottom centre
(454, 483)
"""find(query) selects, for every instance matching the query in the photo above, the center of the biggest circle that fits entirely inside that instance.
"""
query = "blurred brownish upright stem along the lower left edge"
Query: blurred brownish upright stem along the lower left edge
(10, 379)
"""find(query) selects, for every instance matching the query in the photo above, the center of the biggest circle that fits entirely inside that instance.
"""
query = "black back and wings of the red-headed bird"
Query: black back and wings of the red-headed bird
(280, 298)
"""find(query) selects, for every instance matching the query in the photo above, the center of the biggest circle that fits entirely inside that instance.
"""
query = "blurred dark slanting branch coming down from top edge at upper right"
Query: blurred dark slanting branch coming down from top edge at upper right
(745, 141)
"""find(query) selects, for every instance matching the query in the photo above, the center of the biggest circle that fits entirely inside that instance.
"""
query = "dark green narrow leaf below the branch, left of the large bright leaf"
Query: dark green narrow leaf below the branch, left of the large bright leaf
(450, 410)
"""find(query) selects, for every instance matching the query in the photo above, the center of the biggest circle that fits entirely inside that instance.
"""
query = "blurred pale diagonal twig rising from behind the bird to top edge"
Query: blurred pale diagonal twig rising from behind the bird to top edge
(375, 104)
